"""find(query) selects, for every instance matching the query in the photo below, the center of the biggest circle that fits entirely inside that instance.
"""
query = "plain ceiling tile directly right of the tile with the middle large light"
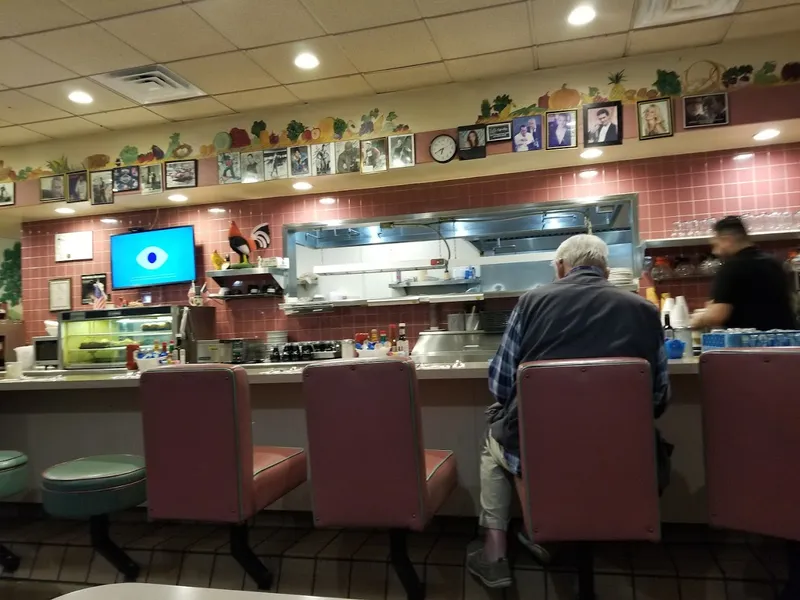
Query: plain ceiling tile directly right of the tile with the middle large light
(389, 47)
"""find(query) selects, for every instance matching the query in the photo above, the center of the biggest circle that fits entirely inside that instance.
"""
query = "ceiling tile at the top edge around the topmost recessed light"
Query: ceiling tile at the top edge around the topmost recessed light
(549, 18)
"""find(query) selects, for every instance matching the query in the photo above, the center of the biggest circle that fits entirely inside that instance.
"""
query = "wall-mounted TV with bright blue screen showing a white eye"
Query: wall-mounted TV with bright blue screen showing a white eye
(149, 258)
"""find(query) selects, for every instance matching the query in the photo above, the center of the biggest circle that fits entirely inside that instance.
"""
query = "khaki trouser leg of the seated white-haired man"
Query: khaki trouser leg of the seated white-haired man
(497, 486)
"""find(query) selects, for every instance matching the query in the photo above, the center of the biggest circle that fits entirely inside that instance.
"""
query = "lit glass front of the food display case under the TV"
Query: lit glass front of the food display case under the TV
(98, 339)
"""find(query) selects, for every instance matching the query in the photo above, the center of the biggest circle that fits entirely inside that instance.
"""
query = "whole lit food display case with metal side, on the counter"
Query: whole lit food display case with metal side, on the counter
(98, 339)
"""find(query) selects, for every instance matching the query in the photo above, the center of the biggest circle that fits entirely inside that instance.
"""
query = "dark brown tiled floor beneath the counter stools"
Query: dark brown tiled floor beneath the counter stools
(691, 563)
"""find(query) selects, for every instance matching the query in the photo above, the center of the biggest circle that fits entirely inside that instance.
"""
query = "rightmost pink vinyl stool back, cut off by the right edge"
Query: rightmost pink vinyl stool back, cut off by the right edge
(751, 420)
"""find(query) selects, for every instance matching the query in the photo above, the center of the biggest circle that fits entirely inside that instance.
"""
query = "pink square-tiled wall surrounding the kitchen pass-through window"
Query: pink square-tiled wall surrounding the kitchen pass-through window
(671, 188)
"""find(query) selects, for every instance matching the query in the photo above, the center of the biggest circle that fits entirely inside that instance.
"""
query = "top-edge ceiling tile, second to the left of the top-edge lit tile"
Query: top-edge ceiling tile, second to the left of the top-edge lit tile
(338, 17)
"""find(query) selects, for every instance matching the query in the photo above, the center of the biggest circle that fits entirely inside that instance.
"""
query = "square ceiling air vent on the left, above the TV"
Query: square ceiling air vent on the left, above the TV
(149, 85)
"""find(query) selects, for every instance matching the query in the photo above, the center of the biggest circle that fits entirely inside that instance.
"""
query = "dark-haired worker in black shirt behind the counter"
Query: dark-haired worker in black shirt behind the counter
(751, 289)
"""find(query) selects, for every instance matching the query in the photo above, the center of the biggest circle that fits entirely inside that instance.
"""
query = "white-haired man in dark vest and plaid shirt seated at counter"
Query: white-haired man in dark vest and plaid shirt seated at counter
(580, 315)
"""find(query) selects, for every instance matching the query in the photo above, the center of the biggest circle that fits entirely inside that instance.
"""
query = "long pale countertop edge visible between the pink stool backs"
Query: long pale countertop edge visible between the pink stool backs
(259, 374)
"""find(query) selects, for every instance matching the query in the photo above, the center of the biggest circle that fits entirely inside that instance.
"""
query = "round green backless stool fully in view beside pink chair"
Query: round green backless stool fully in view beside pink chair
(93, 488)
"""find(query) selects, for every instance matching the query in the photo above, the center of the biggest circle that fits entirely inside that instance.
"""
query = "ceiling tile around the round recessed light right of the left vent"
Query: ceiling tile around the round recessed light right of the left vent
(278, 60)
